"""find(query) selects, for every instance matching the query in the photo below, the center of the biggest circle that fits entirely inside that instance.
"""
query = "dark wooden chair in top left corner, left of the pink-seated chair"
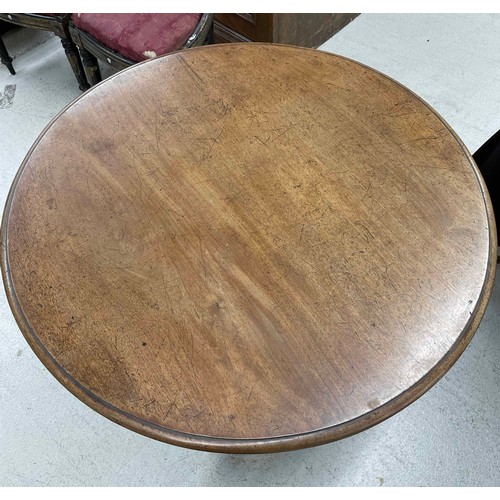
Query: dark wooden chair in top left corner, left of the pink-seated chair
(58, 24)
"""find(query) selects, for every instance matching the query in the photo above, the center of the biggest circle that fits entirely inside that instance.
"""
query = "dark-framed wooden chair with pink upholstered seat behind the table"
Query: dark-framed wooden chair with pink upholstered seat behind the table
(125, 39)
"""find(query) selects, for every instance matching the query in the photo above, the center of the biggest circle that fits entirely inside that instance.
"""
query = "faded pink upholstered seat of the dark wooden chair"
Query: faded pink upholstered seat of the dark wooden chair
(139, 36)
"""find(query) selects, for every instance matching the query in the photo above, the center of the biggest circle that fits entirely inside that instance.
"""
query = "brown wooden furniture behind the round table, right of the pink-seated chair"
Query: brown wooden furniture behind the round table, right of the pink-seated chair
(306, 30)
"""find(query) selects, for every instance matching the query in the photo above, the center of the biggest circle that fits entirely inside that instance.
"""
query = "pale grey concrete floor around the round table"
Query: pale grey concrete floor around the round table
(449, 437)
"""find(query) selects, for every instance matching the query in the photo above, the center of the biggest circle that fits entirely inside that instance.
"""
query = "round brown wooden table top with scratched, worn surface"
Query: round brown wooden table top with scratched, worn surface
(248, 248)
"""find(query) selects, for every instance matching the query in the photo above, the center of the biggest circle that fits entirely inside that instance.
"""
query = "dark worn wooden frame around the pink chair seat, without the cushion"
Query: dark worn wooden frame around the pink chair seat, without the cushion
(92, 50)
